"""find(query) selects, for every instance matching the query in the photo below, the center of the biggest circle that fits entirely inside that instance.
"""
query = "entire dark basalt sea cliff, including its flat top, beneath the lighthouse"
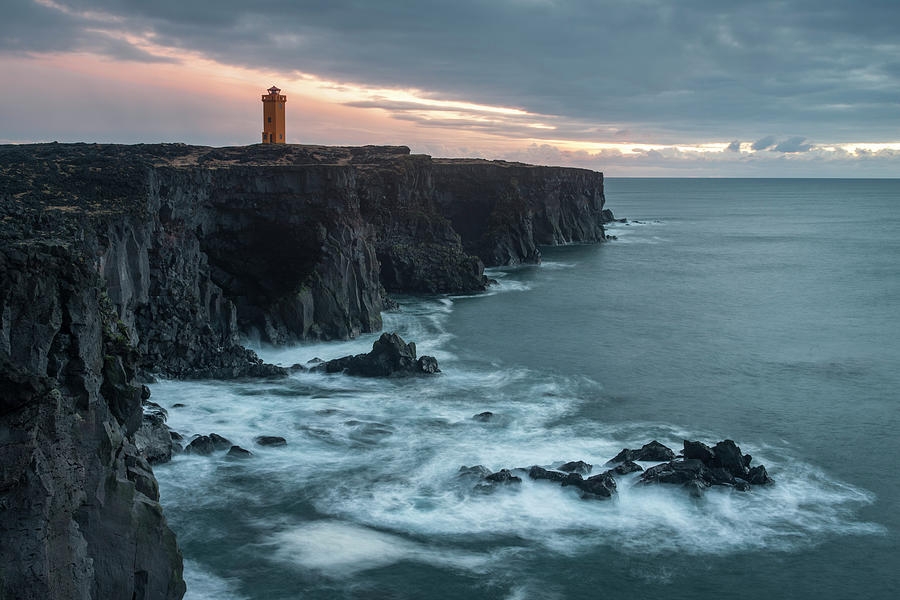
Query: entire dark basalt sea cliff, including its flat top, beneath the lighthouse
(121, 262)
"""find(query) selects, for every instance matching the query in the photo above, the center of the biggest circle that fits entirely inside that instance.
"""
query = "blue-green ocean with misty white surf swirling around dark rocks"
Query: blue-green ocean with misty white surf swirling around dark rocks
(765, 311)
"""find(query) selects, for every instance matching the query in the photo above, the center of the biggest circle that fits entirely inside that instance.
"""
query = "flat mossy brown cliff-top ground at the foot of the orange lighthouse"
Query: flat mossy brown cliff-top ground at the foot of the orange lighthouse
(46, 188)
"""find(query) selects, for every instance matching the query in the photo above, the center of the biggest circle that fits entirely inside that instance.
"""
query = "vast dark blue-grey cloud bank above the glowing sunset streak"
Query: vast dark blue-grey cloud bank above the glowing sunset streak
(665, 70)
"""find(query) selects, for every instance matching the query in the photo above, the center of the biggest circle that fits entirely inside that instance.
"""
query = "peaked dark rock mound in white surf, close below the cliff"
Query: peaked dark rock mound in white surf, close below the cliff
(390, 355)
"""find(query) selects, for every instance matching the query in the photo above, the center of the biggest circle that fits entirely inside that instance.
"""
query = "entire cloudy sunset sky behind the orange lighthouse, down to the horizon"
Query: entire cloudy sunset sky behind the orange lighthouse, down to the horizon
(787, 88)
